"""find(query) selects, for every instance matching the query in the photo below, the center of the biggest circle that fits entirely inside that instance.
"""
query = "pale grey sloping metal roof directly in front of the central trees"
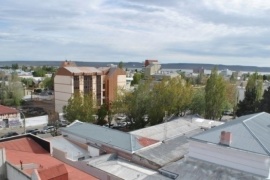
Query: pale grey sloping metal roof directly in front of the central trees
(166, 130)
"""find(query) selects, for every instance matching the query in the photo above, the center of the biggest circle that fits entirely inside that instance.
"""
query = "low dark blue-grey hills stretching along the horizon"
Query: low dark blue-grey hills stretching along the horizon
(139, 65)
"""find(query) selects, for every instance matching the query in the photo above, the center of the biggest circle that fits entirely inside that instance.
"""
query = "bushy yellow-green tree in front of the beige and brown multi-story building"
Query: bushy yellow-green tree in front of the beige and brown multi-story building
(80, 107)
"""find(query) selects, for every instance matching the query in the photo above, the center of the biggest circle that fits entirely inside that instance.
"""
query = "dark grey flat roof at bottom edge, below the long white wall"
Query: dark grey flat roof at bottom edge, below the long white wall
(191, 169)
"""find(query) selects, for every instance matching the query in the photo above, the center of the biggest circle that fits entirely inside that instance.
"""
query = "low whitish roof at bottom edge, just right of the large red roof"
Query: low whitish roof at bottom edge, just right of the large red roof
(123, 169)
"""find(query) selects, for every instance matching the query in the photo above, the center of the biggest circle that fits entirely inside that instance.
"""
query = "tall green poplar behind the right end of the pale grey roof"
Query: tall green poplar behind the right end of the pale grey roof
(214, 96)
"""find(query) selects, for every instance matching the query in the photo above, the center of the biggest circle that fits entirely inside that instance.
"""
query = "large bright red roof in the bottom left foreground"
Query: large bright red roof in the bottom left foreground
(27, 151)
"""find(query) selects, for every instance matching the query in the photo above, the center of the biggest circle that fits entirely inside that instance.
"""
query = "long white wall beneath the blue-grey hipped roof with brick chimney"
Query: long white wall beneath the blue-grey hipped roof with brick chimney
(226, 156)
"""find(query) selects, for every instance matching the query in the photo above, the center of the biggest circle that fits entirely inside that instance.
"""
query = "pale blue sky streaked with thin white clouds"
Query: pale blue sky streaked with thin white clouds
(230, 32)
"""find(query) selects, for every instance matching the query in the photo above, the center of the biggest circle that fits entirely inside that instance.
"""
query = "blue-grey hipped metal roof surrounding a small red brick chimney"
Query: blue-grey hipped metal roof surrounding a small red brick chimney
(249, 133)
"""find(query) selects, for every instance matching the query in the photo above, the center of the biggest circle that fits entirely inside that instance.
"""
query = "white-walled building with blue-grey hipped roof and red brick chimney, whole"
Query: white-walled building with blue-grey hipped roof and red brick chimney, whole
(241, 144)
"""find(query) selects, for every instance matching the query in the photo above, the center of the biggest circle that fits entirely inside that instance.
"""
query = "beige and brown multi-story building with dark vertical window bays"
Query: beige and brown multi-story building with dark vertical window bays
(102, 83)
